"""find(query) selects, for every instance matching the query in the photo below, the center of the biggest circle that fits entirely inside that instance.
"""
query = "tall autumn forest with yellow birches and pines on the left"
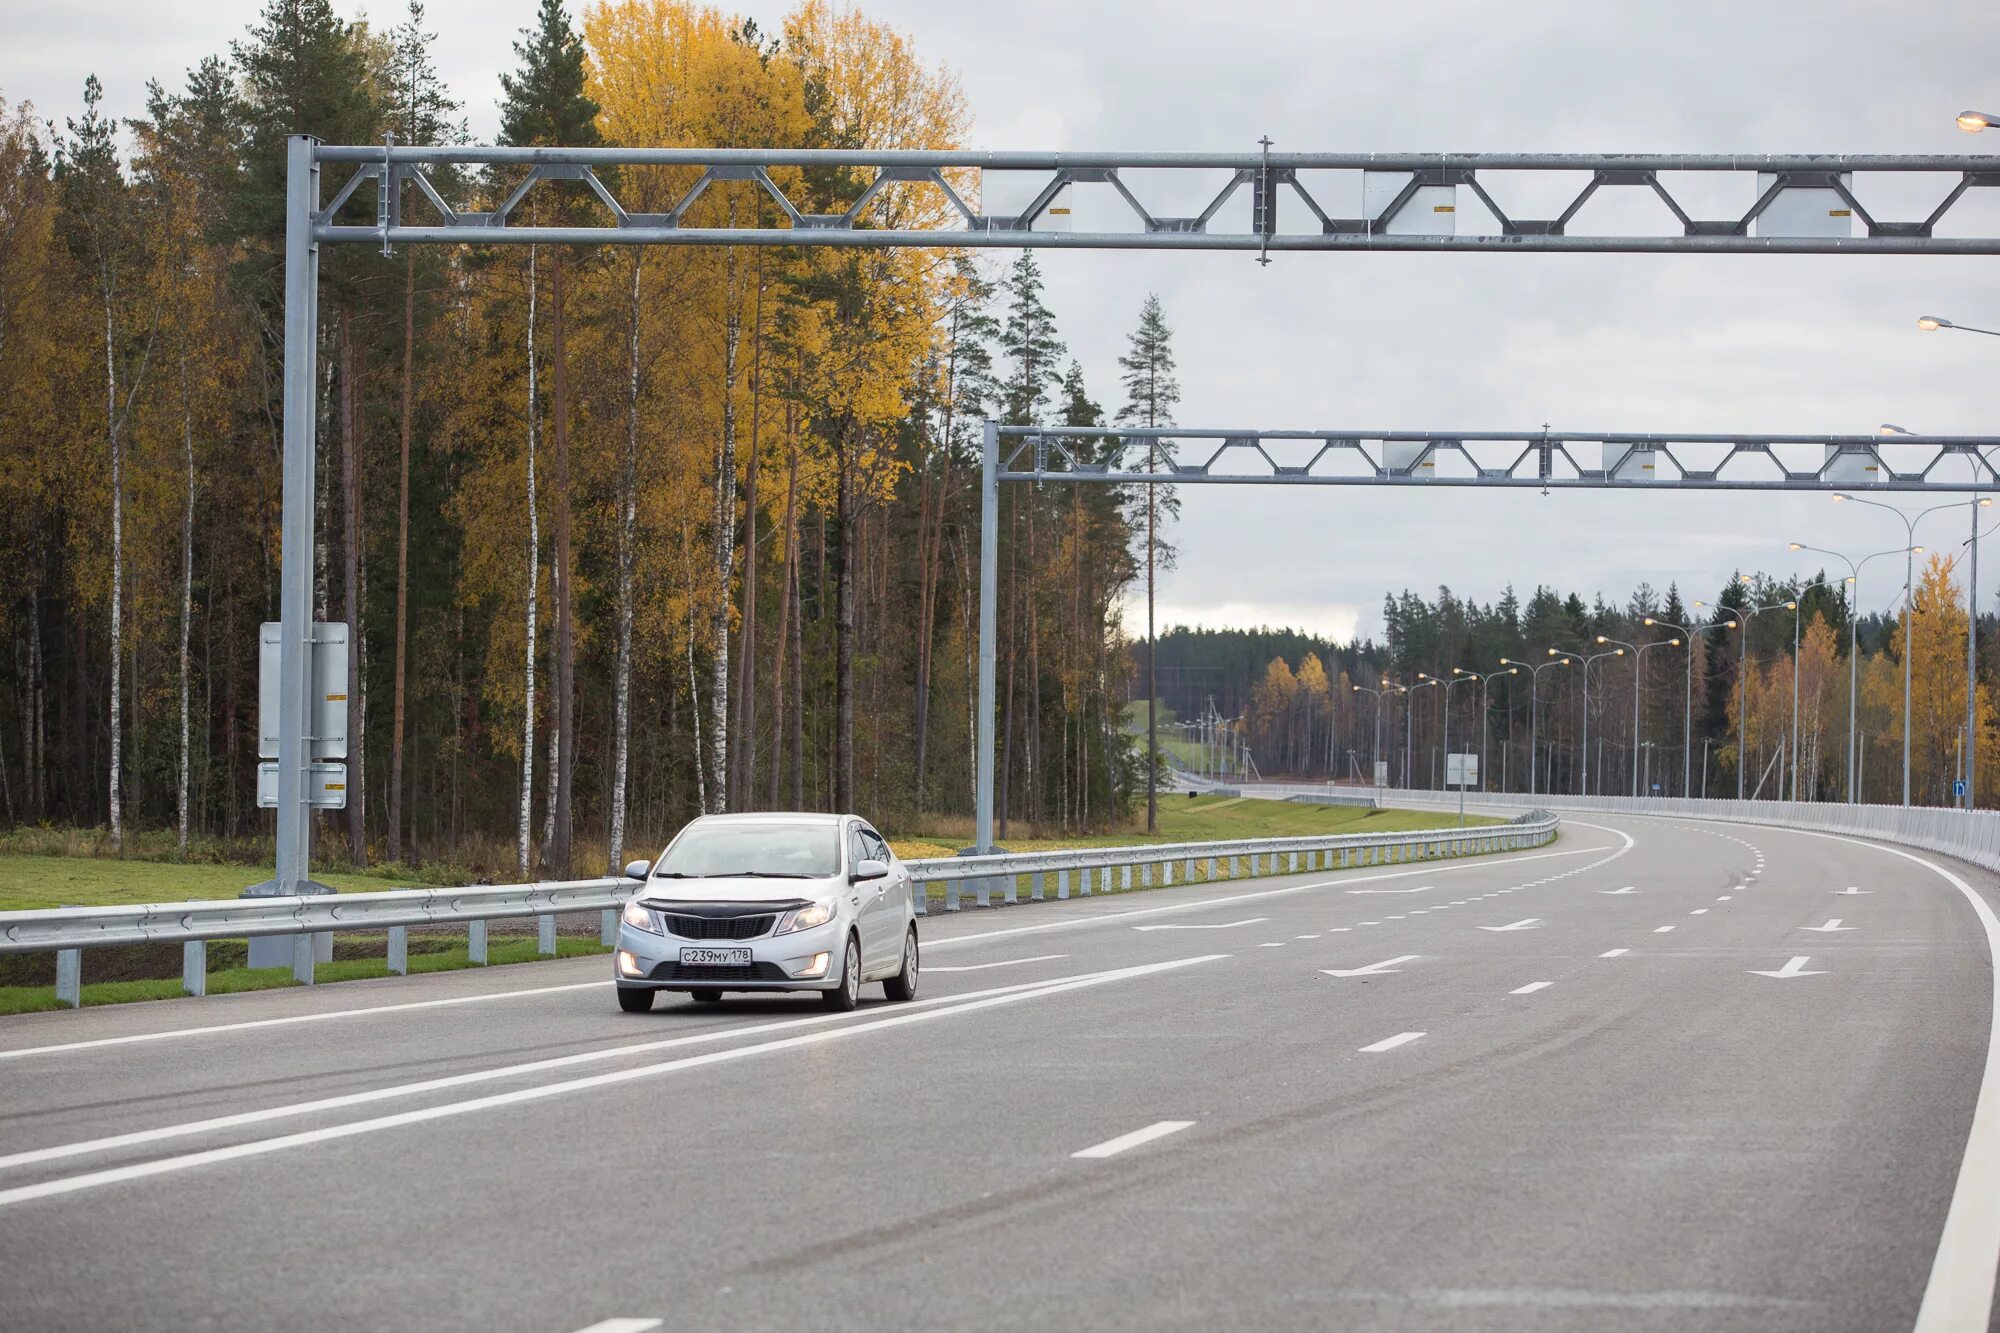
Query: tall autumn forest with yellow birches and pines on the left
(619, 535)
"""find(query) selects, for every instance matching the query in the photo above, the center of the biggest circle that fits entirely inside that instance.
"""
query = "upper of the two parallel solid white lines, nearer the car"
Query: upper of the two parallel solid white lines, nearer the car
(483, 1076)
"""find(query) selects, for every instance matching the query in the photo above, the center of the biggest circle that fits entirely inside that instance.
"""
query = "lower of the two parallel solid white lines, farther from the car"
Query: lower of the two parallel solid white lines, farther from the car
(257, 1148)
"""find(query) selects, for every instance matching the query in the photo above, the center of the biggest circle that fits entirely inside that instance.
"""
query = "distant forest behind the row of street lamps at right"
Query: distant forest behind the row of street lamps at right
(1713, 708)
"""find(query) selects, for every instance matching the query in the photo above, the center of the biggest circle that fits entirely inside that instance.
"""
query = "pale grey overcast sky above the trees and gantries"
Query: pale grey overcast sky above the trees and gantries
(1415, 341)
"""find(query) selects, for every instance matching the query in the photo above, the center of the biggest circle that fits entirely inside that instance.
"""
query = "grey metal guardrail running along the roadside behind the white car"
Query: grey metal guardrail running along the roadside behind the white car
(307, 920)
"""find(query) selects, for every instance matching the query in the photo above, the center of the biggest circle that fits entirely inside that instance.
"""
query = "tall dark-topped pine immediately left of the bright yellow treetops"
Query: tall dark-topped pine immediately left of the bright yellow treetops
(545, 105)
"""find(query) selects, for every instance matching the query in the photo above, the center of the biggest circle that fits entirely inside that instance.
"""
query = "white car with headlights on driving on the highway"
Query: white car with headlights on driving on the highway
(769, 904)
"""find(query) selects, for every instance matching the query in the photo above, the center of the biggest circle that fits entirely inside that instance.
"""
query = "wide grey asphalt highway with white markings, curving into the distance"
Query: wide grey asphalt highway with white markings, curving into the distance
(1659, 1076)
